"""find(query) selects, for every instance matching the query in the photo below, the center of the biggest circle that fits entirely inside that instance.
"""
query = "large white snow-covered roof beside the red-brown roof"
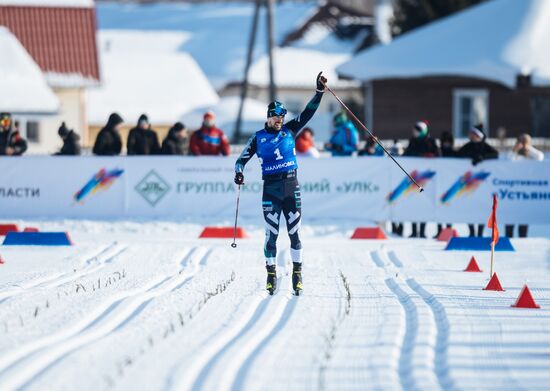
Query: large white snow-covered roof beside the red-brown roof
(145, 72)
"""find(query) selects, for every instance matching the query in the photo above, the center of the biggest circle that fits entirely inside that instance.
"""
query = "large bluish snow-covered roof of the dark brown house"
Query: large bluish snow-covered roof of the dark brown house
(496, 41)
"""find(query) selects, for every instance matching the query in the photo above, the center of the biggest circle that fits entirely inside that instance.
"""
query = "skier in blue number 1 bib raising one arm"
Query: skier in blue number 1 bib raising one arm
(275, 147)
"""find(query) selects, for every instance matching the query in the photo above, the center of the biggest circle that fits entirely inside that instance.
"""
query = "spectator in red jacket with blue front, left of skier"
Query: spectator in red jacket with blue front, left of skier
(209, 140)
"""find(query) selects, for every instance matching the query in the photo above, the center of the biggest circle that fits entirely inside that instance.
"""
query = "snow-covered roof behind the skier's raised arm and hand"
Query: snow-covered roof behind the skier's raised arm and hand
(297, 67)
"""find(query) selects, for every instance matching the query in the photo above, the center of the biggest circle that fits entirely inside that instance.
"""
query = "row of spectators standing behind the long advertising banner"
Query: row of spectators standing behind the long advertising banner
(344, 141)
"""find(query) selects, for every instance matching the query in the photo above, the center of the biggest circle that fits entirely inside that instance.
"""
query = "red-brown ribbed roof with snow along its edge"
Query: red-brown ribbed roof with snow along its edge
(61, 40)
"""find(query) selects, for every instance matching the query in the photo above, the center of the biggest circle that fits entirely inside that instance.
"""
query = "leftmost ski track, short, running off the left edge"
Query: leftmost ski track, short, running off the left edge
(63, 278)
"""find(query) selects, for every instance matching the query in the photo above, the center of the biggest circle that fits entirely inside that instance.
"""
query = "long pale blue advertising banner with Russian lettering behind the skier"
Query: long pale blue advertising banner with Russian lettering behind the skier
(367, 189)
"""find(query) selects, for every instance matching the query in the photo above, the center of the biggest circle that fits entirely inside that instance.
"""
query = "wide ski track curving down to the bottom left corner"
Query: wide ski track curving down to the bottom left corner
(24, 365)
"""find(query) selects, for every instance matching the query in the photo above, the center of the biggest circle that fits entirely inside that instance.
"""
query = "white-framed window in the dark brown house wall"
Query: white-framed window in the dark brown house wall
(470, 107)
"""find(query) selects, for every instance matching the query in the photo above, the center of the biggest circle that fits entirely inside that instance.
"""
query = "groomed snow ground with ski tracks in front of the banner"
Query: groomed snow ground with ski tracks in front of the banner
(146, 305)
